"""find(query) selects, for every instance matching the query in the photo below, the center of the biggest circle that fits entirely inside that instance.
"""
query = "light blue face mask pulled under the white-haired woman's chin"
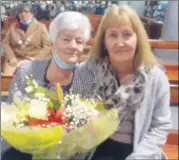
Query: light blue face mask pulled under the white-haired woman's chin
(62, 64)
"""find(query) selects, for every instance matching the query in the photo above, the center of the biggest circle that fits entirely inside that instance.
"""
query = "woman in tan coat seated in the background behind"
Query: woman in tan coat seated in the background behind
(27, 39)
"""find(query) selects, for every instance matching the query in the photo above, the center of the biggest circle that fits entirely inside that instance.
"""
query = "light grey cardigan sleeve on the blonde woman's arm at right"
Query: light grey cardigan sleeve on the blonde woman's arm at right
(160, 125)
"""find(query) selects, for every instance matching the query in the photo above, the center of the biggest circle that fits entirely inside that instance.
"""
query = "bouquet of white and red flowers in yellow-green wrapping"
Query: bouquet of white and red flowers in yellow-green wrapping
(51, 125)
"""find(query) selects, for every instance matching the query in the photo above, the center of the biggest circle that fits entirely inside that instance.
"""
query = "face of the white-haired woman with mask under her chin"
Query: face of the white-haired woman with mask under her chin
(69, 45)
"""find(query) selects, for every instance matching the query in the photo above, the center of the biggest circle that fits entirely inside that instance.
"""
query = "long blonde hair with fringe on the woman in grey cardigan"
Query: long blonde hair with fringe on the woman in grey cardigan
(124, 15)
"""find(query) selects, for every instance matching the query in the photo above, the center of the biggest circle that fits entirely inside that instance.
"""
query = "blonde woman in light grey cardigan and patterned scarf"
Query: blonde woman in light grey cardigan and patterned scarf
(123, 73)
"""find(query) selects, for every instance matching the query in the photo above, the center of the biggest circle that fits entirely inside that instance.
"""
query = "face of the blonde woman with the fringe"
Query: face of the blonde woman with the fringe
(120, 43)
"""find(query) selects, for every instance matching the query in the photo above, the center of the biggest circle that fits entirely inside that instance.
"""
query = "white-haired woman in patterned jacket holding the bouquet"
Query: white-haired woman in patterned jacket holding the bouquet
(68, 36)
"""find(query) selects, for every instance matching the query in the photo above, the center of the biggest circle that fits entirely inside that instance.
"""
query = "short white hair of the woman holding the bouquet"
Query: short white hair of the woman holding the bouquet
(69, 20)
